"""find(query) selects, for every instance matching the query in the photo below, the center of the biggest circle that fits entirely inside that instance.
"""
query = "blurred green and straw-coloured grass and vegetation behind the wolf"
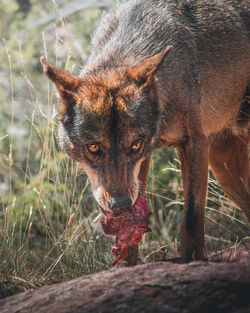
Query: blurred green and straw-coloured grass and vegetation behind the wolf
(49, 222)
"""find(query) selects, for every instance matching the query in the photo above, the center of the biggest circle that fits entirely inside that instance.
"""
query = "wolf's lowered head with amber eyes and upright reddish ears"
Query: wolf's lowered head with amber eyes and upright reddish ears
(109, 124)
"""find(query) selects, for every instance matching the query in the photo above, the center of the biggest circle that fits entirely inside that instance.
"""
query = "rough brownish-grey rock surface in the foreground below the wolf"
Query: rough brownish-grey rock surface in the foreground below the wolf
(154, 287)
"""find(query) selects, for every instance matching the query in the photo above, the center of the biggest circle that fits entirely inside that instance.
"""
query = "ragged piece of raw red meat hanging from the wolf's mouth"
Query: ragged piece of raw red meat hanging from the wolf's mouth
(128, 228)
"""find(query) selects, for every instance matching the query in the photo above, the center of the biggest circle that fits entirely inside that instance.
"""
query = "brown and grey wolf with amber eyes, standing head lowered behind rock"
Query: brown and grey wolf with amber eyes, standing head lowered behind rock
(162, 73)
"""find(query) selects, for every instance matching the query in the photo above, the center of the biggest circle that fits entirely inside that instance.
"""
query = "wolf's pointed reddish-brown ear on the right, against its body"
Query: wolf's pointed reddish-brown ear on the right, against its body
(144, 72)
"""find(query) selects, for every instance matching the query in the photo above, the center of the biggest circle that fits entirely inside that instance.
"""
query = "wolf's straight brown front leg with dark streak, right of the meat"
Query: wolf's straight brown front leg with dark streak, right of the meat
(194, 167)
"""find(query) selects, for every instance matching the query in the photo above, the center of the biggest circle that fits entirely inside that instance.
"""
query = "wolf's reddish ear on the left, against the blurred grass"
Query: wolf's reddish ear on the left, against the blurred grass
(66, 85)
